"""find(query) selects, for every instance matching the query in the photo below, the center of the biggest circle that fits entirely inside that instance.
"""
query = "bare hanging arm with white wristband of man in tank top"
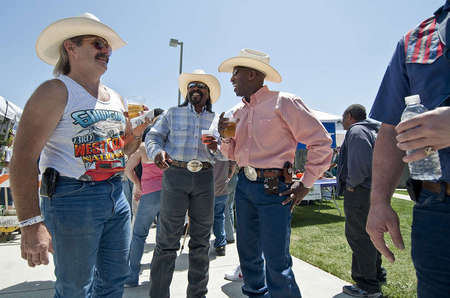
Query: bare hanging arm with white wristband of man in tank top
(37, 123)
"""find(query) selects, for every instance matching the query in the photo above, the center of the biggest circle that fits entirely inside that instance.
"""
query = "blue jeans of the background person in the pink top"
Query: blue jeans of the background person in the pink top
(147, 211)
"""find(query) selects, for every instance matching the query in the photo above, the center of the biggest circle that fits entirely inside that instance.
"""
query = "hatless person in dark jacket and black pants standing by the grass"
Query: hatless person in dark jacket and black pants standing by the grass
(354, 177)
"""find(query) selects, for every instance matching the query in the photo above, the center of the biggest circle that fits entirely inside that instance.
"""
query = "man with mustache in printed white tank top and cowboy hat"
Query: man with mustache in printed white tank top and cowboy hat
(76, 126)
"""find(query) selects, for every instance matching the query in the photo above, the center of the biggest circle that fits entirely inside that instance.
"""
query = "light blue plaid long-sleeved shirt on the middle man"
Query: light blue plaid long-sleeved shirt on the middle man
(178, 131)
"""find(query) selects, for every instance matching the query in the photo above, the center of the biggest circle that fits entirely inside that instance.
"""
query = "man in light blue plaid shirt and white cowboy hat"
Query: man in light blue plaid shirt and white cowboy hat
(175, 144)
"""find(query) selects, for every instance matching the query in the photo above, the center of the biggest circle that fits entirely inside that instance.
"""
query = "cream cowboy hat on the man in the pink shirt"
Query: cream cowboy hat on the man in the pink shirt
(252, 59)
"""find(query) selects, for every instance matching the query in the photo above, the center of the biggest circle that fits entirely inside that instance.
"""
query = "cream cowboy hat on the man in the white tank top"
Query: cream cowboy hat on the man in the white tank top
(51, 38)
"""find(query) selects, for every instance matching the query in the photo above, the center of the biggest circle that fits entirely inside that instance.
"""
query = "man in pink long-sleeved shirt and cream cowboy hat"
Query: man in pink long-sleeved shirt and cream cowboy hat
(270, 124)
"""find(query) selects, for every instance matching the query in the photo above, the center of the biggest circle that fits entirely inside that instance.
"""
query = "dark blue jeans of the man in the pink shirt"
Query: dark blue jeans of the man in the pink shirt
(263, 228)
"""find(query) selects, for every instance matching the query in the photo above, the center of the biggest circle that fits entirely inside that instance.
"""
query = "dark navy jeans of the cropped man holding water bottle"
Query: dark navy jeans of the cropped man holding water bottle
(430, 244)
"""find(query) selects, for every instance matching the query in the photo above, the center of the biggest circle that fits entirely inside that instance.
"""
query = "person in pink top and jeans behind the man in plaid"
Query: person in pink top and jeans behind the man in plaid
(147, 190)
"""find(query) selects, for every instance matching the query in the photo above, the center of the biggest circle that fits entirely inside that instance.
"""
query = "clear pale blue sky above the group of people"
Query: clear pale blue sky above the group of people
(330, 53)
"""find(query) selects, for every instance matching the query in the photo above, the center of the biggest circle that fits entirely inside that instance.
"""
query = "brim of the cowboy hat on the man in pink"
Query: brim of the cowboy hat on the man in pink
(271, 73)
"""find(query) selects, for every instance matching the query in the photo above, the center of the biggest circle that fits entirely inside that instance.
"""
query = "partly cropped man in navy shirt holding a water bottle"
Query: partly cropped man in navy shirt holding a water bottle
(420, 65)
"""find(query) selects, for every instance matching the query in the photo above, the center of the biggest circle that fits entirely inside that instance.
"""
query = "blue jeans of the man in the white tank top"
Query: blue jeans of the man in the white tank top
(90, 227)
